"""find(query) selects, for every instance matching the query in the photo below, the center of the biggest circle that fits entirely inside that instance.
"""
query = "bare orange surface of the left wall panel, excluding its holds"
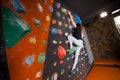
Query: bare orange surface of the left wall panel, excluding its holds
(17, 55)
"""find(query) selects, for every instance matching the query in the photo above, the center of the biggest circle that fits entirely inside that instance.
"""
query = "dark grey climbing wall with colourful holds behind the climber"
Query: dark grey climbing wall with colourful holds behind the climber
(59, 59)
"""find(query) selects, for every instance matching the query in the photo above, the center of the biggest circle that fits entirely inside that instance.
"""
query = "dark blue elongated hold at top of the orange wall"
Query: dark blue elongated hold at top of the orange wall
(18, 7)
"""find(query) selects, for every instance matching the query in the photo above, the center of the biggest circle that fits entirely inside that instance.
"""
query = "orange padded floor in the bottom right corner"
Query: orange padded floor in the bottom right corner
(104, 73)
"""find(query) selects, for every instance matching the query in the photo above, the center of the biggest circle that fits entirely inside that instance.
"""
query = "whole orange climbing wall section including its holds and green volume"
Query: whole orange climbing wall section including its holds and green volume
(26, 27)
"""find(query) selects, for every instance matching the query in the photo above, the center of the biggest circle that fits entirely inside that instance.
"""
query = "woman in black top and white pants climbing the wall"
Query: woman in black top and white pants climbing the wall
(76, 37)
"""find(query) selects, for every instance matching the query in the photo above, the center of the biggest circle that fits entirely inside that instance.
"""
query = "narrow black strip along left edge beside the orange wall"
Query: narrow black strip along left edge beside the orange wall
(4, 73)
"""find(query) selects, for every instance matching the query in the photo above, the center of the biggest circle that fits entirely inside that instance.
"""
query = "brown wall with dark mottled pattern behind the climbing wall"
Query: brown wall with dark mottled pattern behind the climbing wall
(103, 39)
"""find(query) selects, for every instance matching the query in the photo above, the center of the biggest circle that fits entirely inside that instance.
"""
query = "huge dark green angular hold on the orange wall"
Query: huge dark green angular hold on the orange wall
(15, 29)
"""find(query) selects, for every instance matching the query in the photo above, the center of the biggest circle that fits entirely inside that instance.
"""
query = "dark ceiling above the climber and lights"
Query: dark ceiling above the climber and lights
(88, 9)
